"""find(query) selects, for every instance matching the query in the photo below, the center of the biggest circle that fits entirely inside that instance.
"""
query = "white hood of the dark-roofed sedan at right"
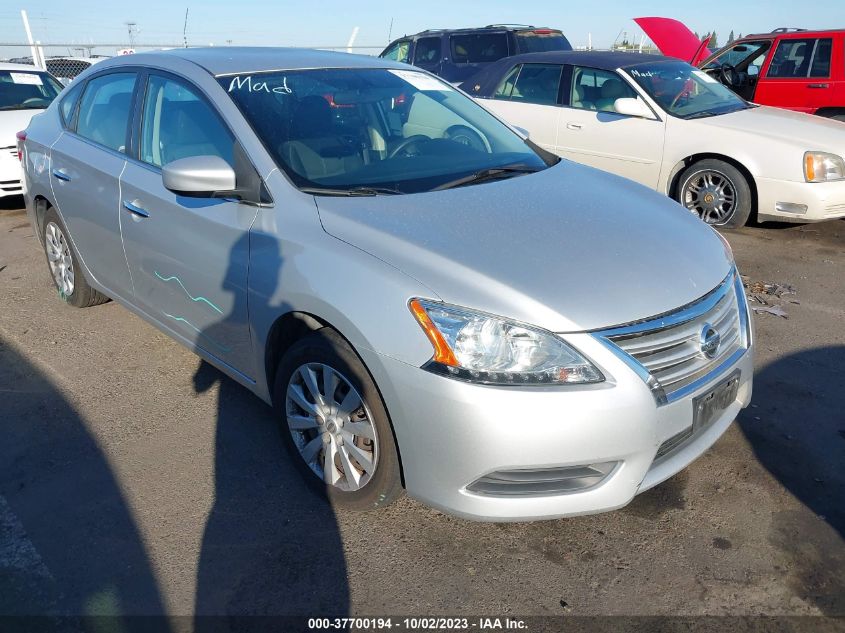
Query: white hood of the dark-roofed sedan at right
(795, 128)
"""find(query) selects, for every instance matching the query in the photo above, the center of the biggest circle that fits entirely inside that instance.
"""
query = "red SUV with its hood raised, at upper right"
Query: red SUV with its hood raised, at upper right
(795, 69)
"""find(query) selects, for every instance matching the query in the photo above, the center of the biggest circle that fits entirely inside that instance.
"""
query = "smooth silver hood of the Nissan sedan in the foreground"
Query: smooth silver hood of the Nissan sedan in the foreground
(568, 249)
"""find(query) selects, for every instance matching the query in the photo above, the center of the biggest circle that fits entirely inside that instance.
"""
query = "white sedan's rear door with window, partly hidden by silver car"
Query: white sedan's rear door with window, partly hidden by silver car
(528, 97)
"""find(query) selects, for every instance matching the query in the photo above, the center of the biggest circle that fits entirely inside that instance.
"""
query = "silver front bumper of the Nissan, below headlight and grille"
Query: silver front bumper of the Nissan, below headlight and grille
(451, 433)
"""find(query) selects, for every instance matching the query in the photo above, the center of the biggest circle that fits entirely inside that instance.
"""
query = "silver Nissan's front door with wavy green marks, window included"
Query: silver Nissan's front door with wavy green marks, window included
(189, 256)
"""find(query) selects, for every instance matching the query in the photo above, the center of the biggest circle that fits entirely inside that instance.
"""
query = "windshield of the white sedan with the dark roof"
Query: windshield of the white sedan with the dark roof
(684, 91)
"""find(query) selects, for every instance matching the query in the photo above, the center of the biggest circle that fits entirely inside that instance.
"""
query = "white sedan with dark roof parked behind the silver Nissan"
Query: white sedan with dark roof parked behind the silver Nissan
(673, 128)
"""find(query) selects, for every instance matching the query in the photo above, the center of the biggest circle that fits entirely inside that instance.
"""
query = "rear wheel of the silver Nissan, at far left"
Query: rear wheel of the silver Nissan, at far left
(63, 264)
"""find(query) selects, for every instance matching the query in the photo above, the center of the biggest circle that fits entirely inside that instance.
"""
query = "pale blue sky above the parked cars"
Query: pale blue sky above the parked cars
(330, 22)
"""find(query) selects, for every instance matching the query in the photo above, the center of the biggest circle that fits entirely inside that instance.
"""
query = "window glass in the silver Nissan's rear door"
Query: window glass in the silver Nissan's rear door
(104, 111)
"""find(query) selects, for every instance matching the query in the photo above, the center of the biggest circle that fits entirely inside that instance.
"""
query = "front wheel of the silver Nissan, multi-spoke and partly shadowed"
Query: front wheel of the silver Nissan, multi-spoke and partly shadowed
(311, 427)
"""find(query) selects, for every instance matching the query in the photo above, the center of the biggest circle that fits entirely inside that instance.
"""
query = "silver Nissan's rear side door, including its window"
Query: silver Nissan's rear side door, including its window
(87, 160)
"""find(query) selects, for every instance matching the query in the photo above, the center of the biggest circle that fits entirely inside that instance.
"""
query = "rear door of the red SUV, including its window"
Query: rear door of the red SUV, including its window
(798, 75)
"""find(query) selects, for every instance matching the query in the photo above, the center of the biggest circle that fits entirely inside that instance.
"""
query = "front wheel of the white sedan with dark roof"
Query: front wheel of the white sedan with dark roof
(717, 192)
